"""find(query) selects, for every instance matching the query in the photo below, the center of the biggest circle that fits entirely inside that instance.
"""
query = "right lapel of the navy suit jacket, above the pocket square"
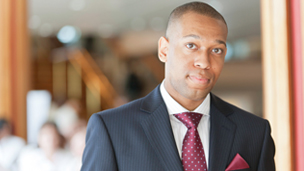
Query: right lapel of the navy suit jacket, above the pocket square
(222, 133)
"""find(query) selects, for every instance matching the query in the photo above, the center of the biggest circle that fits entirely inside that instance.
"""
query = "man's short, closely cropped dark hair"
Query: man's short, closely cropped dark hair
(197, 7)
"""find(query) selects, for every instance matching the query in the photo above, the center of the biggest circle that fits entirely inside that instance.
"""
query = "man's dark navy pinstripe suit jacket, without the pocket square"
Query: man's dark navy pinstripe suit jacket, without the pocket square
(138, 137)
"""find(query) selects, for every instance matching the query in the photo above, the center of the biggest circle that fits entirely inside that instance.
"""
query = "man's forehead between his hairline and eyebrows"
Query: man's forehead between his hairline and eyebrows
(198, 24)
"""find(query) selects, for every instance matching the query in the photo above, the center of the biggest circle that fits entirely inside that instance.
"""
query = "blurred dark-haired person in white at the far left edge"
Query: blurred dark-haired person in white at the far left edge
(10, 147)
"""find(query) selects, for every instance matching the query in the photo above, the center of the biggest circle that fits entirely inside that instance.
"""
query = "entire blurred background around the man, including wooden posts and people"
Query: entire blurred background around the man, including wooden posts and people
(63, 60)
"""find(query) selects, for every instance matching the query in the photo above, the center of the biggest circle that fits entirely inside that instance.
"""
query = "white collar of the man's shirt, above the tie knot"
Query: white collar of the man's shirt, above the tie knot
(174, 107)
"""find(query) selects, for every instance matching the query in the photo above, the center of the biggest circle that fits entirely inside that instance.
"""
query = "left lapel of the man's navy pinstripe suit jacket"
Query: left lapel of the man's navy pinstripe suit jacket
(159, 131)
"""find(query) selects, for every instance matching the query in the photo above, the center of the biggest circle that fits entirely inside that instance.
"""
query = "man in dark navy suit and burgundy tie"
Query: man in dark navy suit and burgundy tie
(154, 133)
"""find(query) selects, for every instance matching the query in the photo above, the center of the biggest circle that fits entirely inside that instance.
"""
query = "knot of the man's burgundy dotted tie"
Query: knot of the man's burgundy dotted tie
(189, 119)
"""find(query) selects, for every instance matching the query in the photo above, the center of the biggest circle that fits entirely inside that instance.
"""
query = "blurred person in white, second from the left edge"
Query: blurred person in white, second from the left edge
(50, 154)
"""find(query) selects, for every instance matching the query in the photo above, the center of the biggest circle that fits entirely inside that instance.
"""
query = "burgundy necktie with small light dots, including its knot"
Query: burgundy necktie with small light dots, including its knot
(193, 156)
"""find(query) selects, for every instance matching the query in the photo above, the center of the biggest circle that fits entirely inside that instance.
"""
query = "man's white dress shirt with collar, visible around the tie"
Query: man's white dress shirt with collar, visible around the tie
(179, 129)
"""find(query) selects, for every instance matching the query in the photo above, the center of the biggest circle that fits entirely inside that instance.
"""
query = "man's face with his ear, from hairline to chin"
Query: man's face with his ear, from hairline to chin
(194, 56)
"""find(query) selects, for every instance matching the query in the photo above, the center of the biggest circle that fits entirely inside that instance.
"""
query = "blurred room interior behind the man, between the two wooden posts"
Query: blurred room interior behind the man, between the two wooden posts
(117, 41)
